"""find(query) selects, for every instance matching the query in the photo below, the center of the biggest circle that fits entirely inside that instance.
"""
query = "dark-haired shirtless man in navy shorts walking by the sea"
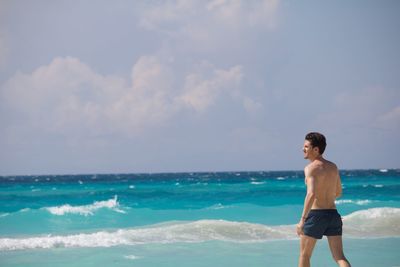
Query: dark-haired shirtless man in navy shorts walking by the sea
(320, 216)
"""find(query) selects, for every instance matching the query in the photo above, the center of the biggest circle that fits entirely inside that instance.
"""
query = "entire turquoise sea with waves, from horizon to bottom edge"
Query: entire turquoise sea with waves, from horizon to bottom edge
(189, 219)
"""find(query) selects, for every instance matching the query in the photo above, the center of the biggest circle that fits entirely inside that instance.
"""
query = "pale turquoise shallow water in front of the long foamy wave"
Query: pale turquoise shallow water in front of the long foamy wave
(360, 252)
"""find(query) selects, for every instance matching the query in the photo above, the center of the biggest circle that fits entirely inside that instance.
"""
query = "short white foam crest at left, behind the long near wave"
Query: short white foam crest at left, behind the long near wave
(86, 209)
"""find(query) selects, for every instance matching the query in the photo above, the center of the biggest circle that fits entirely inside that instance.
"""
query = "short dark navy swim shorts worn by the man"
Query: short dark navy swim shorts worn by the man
(323, 222)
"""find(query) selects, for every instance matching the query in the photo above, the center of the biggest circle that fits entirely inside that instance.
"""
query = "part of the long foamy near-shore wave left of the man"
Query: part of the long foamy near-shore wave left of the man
(189, 232)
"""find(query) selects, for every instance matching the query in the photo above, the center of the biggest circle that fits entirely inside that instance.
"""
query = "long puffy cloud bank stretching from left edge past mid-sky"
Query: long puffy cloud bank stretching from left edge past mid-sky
(68, 97)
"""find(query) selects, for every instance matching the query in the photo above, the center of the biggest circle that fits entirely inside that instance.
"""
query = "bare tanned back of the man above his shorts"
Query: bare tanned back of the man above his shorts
(327, 184)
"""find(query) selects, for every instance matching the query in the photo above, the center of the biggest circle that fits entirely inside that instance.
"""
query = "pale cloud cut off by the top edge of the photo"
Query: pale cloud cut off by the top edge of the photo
(228, 12)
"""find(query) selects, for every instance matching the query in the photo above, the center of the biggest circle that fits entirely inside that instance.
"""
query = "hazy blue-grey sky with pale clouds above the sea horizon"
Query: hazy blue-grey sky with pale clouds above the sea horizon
(210, 85)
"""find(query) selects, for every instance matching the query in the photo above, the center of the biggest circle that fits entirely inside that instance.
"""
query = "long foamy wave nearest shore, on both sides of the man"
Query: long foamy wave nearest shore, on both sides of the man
(370, 223)
